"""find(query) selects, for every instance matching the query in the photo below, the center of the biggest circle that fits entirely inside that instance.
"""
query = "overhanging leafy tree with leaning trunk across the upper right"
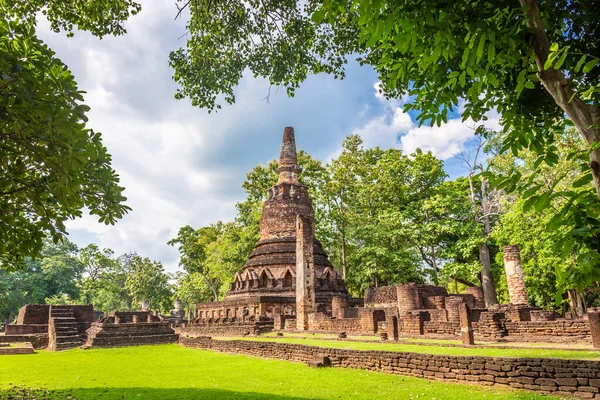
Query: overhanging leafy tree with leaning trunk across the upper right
(533, 61)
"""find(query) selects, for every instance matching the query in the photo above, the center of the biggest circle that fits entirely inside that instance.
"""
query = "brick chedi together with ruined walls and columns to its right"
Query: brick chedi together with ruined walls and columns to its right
(288, 283)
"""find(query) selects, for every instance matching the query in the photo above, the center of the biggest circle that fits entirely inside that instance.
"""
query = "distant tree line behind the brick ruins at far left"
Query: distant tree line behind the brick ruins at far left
(64, 274)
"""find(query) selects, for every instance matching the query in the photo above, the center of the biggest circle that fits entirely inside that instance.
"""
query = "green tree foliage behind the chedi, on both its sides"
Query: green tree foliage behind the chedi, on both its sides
(383, 216)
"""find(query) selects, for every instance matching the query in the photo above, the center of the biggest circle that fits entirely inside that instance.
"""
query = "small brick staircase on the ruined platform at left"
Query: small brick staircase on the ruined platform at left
(62, 329)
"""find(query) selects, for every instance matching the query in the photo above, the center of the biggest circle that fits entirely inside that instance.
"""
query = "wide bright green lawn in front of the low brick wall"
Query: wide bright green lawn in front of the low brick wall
(173, 372)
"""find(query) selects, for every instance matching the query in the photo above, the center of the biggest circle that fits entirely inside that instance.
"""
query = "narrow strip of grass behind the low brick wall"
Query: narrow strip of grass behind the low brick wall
(416, 348)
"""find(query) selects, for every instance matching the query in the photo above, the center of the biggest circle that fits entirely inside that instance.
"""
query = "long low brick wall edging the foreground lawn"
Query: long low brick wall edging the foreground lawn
(560, 377)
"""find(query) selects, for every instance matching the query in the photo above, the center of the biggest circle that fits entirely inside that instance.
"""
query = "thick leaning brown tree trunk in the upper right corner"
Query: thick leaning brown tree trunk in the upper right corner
(586, 117)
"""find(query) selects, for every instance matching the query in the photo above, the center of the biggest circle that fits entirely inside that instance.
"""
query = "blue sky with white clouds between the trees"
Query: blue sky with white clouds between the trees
(181, 165)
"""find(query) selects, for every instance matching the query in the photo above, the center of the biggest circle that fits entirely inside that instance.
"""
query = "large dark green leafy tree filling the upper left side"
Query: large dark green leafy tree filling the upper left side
(51, 165)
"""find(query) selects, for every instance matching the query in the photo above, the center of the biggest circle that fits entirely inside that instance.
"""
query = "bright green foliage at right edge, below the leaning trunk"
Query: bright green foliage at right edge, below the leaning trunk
(553, 218)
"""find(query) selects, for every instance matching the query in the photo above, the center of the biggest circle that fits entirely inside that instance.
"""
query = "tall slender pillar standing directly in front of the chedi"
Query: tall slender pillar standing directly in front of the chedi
(305, 274)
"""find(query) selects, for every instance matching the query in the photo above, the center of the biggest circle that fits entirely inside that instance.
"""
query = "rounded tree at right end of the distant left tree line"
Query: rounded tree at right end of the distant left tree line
(148, 281)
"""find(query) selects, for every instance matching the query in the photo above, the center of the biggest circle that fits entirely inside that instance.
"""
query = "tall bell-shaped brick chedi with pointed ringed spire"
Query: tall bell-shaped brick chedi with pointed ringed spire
(267, 283)
